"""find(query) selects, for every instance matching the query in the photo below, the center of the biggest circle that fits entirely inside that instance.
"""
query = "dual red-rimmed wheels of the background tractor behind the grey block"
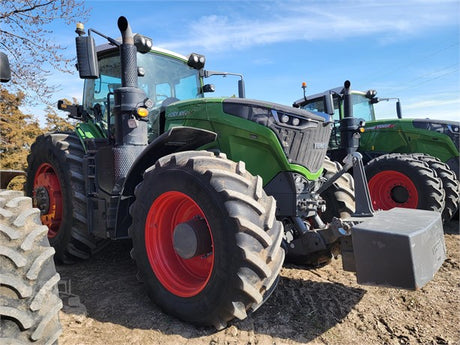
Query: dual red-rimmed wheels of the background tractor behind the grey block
(413, 181)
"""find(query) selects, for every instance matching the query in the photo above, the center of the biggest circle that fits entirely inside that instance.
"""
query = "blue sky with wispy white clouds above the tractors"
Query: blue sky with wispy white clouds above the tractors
(406, 49)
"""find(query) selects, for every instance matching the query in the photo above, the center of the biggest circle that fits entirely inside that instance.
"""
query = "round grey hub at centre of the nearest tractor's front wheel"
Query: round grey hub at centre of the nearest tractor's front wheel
(192, 239)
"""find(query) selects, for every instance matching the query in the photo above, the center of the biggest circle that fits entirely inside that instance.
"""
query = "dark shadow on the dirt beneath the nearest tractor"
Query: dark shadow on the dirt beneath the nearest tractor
(298, 309)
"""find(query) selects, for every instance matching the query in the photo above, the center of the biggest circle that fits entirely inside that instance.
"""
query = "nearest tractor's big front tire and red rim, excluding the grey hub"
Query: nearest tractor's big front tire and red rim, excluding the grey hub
(242, 258)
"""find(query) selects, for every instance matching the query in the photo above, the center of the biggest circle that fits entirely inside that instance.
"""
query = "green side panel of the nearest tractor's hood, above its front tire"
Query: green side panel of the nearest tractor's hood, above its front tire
(240, 139)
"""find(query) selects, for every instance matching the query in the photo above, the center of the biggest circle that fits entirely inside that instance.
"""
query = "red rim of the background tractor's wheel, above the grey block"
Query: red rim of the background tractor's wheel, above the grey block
(390, 189)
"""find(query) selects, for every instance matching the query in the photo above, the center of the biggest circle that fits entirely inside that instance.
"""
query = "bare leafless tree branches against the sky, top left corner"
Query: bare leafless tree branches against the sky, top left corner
(26, 36)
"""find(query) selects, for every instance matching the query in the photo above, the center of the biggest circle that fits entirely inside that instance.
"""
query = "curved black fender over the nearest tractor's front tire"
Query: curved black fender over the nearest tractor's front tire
(176, 139)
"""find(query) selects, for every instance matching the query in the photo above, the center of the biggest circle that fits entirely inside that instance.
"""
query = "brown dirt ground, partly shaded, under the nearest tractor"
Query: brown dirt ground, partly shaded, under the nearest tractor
(322, 306)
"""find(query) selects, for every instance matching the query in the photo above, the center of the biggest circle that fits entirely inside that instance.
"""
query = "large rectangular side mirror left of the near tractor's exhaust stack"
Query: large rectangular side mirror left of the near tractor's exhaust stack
(87, 65)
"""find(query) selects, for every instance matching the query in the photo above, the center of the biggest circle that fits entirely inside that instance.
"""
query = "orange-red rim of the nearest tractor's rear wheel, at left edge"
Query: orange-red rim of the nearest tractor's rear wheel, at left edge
(46, 178)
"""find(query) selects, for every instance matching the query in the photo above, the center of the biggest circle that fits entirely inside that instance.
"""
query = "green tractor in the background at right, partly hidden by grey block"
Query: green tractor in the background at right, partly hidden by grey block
(411, 163)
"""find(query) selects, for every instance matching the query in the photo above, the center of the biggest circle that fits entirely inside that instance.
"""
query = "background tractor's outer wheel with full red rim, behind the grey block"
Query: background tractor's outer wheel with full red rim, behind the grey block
(397, 180)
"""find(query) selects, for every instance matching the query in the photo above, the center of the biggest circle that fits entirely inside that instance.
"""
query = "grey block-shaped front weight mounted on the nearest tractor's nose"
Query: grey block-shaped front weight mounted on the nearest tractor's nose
(402, 248)
